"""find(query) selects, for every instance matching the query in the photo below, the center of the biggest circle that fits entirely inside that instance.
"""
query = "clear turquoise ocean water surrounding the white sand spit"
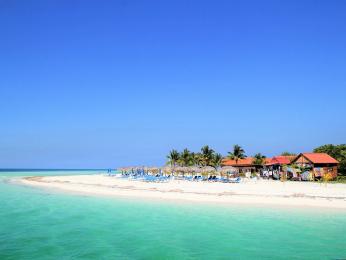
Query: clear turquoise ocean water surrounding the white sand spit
(42, 224)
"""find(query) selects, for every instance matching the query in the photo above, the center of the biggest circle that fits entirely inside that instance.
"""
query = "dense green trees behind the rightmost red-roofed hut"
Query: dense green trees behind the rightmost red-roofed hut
(336, 151)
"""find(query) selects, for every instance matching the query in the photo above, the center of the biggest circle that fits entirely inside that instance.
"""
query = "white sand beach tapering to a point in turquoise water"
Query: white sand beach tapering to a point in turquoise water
(303, 194)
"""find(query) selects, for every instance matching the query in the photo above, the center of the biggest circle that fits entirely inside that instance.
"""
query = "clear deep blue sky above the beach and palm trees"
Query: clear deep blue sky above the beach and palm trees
(100, 84)
